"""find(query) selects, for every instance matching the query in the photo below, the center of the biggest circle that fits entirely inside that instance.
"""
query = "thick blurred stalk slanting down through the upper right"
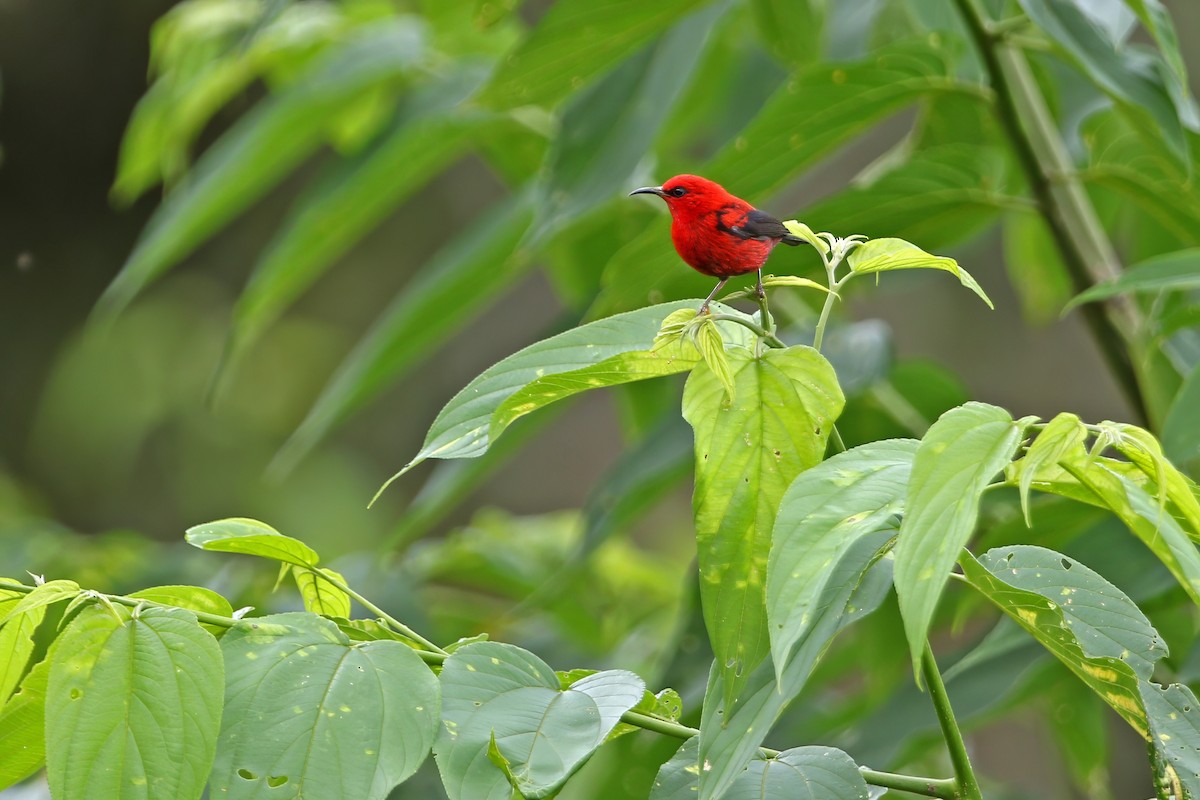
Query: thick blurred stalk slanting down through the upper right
(1087, 252)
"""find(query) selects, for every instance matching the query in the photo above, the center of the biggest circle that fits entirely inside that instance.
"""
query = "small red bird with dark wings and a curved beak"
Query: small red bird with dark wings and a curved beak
(716, 233)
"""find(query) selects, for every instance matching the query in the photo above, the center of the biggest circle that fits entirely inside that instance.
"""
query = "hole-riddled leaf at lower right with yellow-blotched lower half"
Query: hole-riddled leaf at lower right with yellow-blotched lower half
(1029, 587)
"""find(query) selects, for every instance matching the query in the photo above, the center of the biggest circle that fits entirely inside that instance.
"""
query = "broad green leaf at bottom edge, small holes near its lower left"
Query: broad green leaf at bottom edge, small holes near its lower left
(311, 714)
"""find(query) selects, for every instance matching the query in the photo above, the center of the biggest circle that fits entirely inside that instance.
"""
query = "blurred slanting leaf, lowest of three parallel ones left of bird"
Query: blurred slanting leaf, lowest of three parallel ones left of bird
(451, 290)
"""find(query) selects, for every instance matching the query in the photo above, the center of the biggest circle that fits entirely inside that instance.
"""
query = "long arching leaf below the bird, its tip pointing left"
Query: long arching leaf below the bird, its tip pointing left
(605, 353)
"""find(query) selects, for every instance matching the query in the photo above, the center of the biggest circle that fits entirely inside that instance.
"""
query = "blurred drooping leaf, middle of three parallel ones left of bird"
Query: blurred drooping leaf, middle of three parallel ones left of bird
(353, 197)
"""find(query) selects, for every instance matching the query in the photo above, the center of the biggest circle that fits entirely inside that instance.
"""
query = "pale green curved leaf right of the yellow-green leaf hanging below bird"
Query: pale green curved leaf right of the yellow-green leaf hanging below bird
(825, 512)
